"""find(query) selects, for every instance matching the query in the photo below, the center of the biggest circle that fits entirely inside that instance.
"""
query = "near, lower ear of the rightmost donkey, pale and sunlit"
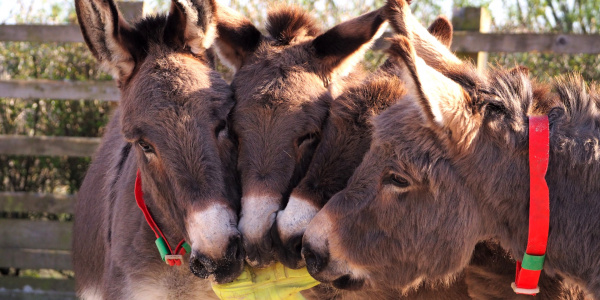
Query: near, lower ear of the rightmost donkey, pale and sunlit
(444, 103)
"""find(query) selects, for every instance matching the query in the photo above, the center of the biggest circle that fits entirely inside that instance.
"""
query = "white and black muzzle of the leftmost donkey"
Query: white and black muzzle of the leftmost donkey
(217, 251)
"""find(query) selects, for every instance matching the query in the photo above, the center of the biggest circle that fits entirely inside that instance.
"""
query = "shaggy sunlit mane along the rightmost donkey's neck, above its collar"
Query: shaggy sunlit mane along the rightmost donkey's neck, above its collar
(572, 106)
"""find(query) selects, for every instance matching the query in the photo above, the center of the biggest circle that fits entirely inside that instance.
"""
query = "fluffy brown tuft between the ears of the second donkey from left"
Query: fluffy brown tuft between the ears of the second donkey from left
(286, 23)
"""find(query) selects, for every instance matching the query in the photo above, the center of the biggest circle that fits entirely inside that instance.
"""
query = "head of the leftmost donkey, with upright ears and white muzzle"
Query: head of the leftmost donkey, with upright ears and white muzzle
(174, 109)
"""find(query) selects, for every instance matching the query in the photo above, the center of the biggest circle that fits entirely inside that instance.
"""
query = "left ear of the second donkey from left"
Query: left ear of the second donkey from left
(237, 39)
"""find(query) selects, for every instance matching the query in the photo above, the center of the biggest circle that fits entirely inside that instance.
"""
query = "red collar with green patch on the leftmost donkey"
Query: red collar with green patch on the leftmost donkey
(166, 253)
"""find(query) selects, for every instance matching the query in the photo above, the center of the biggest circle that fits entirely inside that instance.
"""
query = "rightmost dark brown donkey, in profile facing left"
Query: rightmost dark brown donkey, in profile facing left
(448, 167)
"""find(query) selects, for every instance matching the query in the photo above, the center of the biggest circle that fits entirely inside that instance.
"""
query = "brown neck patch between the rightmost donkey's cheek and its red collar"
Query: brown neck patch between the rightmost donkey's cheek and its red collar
(498, 179)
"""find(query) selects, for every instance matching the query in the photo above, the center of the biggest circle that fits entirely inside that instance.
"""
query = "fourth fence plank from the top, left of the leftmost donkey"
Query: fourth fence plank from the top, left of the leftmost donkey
(34, 202)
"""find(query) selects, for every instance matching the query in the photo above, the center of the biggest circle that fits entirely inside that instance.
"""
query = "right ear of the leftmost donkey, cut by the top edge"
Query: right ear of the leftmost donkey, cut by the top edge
(191, 23)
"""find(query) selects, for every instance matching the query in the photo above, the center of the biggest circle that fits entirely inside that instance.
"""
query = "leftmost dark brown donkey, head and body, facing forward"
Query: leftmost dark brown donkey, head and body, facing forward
(171, 126)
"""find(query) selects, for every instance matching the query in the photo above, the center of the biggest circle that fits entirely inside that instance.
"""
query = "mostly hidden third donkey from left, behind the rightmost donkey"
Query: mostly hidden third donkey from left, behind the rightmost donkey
(345, 139)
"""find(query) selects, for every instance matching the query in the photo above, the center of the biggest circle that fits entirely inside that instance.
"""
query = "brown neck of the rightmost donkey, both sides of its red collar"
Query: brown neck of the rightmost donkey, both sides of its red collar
(503, 198)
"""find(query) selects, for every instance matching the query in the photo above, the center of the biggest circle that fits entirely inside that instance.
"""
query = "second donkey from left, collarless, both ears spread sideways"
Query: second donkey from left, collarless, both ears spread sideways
(283, 86)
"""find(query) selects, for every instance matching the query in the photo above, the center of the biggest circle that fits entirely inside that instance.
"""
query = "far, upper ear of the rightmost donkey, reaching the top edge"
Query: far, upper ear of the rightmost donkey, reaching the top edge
(435, 52)
